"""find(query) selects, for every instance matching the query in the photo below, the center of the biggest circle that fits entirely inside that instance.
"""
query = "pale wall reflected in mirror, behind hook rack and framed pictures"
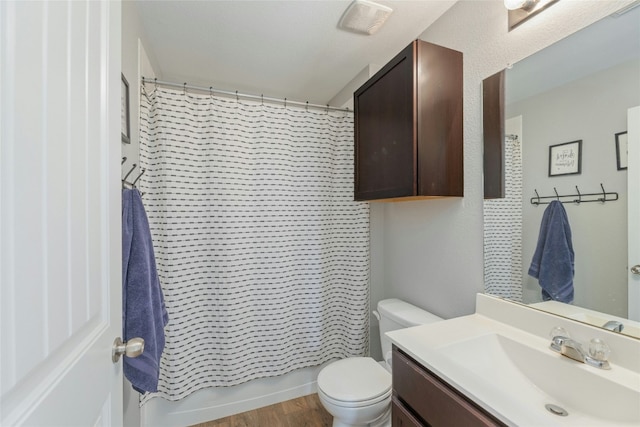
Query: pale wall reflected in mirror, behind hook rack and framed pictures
(592, 109)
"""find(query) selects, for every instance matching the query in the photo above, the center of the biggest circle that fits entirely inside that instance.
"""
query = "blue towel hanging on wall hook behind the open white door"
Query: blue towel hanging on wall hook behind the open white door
(143, 311)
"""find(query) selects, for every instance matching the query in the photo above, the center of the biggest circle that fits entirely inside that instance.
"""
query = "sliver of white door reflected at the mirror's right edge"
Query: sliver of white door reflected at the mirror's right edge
(633, 185)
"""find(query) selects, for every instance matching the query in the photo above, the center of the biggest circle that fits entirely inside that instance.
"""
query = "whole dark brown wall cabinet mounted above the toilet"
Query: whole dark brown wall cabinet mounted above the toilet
(408, 126)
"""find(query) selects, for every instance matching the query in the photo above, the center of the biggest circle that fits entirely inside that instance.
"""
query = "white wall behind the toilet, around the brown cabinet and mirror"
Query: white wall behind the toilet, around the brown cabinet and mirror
(433, 250)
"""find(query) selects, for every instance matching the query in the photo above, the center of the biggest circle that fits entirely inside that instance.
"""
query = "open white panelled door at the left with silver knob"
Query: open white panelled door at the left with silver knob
(60, 237)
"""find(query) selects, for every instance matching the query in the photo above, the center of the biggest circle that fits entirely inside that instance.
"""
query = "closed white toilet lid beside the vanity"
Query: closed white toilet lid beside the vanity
(354, 379)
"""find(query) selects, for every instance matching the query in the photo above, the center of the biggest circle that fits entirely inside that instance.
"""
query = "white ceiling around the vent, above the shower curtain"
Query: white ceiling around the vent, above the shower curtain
(281, 49)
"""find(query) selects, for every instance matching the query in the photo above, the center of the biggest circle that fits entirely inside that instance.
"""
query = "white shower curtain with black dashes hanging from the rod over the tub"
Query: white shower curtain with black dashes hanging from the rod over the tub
(262, 253)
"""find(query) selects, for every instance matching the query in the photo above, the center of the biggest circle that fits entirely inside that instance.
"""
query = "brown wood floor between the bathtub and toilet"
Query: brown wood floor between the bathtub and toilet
(306, 411)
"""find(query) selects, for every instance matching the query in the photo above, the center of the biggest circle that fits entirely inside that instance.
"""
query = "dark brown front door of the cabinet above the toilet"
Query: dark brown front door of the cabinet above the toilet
(385, 134)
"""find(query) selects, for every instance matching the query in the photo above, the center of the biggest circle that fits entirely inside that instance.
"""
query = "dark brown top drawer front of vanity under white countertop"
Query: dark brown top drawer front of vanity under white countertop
(431, 399)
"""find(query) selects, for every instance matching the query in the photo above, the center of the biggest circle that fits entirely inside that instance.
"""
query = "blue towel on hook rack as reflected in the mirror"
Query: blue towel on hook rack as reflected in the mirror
(553, 260)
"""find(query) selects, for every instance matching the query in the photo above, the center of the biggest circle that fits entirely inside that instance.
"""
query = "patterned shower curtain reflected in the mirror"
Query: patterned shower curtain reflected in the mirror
(503, 230)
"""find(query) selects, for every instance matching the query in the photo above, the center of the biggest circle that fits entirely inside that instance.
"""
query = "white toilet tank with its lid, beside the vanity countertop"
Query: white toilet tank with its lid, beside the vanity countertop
(397, 314)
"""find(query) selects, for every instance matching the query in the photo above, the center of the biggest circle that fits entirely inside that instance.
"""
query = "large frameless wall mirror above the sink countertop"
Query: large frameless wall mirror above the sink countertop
(578, 89)
